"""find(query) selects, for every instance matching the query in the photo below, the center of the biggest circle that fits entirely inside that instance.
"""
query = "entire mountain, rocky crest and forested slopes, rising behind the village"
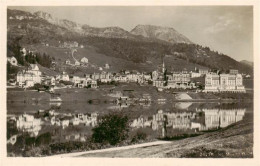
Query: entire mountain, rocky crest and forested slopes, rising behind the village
(145, 45)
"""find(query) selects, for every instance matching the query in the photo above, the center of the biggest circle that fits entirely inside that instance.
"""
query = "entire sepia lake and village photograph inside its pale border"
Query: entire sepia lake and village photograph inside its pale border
(130, 81)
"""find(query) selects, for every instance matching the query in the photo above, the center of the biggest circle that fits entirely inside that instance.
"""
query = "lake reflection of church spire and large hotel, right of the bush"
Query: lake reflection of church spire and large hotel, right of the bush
(200, 120)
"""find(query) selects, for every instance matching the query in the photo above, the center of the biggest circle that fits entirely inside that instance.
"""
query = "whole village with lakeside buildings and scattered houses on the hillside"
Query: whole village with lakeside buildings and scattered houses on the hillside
(200, 79)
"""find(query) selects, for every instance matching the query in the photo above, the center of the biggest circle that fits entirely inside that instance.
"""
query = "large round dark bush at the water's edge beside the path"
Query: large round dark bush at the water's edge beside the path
(112, 129)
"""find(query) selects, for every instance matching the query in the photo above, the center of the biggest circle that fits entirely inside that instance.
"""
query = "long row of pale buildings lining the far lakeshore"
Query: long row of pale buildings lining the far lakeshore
(214, 82)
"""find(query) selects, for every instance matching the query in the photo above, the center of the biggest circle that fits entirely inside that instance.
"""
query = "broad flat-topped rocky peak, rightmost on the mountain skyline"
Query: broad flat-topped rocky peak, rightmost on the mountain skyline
(161, 33)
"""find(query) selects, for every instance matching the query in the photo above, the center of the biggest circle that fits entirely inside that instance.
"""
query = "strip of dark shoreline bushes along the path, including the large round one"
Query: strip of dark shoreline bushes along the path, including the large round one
(112, 130)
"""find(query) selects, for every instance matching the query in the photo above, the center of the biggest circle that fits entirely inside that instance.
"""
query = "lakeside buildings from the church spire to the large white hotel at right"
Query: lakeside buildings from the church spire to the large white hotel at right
(214, 82)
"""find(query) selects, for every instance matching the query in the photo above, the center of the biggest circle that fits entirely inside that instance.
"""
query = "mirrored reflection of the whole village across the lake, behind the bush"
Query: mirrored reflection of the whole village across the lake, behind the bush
(160, 120)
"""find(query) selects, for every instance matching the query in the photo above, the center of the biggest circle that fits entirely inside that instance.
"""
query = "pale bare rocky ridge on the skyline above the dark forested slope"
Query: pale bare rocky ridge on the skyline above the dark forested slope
(140, 32)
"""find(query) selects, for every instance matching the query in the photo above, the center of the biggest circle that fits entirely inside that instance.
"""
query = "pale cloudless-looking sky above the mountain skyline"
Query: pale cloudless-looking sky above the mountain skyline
(226, 29)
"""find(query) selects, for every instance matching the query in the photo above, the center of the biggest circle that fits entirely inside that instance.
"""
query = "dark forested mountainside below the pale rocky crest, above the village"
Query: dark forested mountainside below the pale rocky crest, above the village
(115, 42)
